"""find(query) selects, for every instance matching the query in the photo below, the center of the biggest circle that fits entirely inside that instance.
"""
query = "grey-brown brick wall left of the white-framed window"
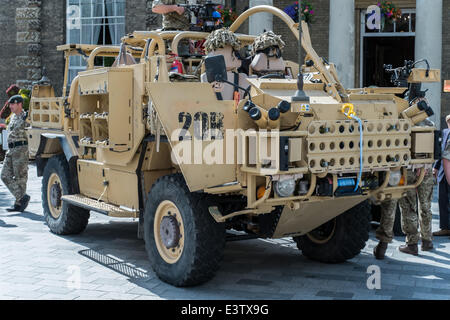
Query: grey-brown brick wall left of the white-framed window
(24, 57)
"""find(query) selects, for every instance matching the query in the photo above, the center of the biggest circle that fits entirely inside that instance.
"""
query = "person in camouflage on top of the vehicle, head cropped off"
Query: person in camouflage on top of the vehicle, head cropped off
(174, 17)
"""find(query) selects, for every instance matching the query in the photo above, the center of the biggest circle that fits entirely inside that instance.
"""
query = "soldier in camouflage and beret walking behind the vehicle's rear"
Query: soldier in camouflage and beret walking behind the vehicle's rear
(15, 167)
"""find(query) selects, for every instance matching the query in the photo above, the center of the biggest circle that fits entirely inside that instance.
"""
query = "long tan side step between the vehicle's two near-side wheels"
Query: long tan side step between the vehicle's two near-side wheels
(100, 207)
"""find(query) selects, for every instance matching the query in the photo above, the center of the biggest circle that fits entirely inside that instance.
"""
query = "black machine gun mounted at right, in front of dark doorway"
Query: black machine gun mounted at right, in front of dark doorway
(401, 75)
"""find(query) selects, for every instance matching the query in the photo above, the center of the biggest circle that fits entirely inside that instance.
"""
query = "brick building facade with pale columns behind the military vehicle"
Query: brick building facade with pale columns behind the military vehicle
(33, 28)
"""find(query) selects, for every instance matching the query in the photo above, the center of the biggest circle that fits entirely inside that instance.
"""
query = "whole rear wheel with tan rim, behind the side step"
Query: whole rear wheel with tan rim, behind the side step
(61, 217)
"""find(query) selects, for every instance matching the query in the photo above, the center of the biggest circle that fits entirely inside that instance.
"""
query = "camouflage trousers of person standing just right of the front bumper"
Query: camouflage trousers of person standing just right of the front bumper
(411, 216)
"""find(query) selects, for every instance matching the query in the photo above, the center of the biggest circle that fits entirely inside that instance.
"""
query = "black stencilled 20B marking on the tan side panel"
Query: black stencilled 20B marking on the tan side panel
(206, 126)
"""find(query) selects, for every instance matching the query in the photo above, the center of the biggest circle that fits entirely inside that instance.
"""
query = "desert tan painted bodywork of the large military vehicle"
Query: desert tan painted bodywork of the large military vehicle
(128, 119)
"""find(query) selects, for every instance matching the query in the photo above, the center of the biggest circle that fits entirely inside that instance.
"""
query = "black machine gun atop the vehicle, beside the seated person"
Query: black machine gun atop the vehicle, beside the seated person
(207, 18)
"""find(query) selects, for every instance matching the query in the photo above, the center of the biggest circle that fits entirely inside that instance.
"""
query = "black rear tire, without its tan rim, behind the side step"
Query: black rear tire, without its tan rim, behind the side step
(72, 220)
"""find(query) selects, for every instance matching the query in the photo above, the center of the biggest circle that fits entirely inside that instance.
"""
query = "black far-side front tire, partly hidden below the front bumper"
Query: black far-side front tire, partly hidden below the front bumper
(349, 236)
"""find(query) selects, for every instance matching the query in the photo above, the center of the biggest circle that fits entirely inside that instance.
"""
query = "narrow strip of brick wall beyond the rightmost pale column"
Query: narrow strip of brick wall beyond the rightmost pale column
(445, 104)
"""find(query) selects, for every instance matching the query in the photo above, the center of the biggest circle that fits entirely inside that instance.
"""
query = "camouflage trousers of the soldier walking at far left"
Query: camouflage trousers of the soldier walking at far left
(15, 171)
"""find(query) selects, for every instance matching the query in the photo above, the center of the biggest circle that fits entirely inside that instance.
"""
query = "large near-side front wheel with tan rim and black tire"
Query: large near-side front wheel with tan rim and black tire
(184, 243)
